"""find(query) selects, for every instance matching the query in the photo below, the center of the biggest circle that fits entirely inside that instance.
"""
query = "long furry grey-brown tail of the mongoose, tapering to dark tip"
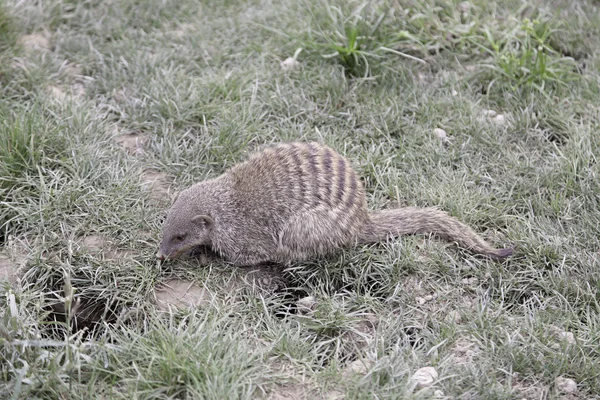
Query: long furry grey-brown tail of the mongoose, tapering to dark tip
(412, 220)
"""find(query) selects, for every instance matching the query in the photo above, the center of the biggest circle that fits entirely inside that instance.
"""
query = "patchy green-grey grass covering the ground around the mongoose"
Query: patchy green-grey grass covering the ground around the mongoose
(200, 86)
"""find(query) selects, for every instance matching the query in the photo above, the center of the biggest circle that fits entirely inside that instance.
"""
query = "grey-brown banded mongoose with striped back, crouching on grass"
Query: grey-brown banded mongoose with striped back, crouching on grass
(292, 202)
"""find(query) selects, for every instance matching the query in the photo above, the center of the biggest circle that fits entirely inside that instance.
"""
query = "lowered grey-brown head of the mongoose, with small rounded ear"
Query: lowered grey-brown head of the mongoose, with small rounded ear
(185, 228)
